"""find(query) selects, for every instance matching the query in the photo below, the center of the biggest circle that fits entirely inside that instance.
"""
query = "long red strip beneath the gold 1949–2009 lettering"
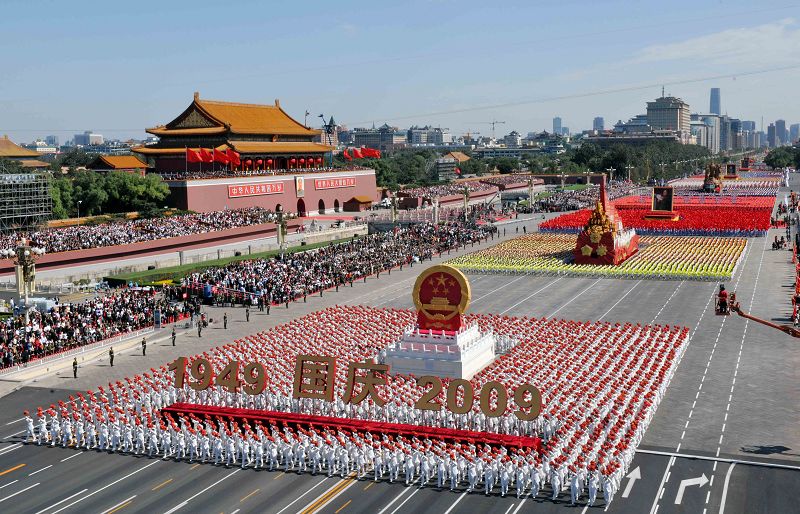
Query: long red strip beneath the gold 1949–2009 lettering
(308, 421)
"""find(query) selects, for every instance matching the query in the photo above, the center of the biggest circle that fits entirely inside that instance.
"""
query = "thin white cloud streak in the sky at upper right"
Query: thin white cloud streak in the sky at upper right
(769, 44)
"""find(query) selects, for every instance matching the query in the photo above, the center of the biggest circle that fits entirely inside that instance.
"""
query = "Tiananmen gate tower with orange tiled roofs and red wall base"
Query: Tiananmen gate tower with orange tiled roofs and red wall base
(280, 163)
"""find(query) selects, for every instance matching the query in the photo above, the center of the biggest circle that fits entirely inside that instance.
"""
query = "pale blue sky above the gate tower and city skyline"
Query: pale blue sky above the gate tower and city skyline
(117, 68)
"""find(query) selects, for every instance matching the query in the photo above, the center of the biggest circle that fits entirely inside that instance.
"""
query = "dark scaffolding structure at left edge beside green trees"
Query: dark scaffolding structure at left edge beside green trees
(25, 202)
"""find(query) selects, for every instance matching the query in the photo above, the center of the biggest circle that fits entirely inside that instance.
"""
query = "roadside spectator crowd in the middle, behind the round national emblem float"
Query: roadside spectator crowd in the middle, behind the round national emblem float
(296, 275)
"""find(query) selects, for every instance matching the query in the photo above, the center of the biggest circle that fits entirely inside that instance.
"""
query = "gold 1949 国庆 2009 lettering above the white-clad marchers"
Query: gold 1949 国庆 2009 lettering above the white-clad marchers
(315, 378)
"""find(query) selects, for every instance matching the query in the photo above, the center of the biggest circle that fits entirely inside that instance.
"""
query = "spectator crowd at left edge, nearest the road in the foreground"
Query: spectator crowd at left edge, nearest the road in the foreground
(70, 325)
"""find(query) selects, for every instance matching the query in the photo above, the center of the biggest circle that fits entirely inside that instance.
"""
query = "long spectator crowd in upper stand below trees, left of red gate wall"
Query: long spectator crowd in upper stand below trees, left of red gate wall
(79, 237)
